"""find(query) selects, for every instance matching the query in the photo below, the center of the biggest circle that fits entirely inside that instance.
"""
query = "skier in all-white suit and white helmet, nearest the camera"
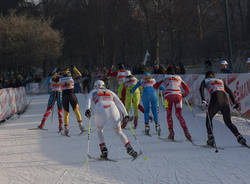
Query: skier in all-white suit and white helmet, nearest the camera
(107, 106)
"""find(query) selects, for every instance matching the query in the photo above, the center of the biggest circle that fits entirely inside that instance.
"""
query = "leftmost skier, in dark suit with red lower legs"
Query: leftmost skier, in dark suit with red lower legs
(55, 96)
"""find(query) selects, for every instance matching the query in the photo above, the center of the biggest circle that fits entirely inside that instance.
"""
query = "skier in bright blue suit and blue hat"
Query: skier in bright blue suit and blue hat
(149, 97)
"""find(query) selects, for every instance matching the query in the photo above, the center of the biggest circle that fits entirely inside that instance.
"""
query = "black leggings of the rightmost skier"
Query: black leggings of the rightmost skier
(219, 102)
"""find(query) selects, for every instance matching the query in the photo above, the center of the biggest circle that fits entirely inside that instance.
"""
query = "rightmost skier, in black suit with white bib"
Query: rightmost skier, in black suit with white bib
(218, 102)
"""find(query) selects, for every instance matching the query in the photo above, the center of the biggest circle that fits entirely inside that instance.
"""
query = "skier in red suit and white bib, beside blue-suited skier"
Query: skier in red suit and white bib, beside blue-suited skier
(173, 95)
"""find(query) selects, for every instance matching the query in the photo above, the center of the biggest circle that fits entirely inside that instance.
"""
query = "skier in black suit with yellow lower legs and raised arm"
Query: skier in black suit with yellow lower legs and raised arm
(68, 97)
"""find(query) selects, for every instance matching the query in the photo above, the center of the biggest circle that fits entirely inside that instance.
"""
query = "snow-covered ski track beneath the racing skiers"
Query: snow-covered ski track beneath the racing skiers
(44, 157)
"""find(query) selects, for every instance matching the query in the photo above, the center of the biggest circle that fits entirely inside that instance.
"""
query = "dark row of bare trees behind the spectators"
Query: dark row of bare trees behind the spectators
(102, 33)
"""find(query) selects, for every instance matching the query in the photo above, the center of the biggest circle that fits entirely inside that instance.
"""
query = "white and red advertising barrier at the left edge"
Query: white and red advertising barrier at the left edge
(12, 101)
